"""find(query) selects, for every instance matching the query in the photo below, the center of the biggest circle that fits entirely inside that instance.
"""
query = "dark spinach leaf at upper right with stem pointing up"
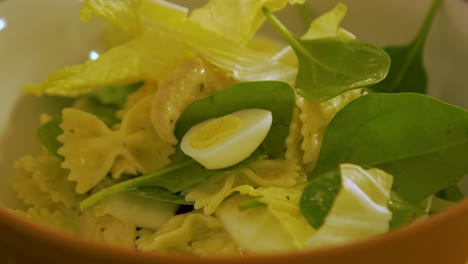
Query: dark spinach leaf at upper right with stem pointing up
(407, 72)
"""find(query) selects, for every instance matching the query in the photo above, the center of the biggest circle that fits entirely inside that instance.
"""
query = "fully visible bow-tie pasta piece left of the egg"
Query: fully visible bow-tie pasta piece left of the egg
(91, 149)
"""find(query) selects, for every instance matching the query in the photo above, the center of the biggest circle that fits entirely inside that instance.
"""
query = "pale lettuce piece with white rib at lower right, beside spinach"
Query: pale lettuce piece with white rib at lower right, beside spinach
(360, 209)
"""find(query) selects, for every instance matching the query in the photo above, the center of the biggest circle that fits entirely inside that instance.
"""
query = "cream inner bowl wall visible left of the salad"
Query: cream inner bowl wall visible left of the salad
(31, 46)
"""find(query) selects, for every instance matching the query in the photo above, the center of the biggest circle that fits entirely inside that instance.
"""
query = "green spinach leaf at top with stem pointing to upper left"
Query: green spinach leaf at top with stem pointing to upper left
(329, 66)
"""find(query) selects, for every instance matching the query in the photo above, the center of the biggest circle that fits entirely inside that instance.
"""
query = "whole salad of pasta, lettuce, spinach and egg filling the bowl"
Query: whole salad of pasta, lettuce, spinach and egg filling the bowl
(183, 139)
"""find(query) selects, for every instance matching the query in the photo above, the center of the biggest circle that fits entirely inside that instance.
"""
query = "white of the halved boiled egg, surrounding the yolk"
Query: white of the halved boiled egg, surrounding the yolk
(236, 147)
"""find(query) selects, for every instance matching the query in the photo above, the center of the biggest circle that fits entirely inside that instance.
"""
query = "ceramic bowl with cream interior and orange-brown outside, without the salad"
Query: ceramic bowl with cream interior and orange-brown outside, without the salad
(39, 36)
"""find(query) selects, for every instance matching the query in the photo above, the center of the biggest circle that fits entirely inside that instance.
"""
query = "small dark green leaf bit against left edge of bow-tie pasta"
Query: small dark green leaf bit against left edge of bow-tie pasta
(48, 133)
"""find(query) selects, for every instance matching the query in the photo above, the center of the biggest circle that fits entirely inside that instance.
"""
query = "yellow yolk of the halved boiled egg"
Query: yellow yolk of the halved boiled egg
(215, 131)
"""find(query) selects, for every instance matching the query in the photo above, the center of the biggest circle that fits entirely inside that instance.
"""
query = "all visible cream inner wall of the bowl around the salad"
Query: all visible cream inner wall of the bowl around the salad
(32, 45)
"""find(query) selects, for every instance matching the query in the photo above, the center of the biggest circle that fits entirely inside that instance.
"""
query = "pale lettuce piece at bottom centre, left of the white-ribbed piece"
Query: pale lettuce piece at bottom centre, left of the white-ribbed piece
(276, 227)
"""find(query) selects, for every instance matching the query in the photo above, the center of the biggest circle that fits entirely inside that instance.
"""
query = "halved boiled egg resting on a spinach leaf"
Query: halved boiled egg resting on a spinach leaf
(225, 141)
